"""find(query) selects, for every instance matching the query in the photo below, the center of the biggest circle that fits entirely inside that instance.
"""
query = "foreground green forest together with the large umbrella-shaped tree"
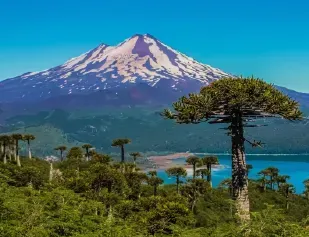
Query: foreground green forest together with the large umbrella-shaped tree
(87, 193)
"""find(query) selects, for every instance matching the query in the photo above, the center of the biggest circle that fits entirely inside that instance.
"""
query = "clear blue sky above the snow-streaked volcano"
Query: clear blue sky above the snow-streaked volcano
(269, 39)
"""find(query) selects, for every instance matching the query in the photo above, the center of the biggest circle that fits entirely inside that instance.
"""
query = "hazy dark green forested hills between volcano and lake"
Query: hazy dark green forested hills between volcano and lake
(99, 127)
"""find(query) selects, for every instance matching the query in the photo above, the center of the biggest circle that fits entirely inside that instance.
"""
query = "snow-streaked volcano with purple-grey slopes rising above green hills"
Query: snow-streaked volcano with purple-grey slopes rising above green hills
(140, 70)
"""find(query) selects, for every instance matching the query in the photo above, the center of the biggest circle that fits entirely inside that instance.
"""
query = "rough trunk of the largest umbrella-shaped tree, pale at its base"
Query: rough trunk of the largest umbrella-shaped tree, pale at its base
(239, 174)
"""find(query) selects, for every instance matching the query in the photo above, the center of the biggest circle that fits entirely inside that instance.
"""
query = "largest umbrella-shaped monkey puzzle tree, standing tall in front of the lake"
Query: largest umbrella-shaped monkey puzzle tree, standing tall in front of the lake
(236, 102)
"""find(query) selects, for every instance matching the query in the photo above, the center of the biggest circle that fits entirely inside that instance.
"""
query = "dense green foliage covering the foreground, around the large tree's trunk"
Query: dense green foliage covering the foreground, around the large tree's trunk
(102, 200)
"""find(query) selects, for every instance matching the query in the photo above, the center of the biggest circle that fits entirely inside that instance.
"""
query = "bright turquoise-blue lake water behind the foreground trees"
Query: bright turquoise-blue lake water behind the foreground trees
(296, 166)
